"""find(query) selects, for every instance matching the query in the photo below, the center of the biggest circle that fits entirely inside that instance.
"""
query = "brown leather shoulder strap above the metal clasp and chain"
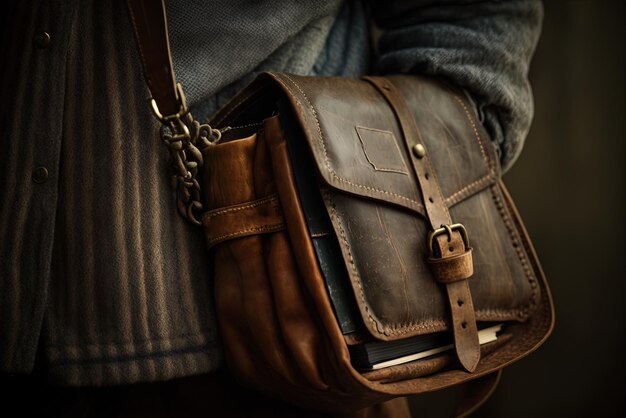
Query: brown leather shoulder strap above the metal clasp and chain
(150, 27)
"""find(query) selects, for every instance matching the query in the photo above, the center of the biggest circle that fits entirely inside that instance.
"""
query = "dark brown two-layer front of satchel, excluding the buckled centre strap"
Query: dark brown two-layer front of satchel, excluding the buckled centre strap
(375, 205)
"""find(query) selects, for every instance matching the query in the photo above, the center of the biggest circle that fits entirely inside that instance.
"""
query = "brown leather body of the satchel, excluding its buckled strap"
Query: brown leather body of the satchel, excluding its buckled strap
(278, 327)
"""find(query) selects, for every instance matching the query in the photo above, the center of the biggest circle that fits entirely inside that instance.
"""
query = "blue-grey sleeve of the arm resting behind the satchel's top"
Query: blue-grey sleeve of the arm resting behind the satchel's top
(484, 47)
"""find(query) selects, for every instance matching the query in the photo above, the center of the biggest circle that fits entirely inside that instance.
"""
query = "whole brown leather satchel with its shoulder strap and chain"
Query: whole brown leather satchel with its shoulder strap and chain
(364, 244)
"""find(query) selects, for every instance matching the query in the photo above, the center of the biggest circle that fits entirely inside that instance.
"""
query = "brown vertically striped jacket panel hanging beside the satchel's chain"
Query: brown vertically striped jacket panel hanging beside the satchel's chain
(129, 296)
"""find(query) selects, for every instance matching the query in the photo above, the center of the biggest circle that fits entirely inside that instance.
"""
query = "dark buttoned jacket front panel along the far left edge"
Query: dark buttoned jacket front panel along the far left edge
(29, 138)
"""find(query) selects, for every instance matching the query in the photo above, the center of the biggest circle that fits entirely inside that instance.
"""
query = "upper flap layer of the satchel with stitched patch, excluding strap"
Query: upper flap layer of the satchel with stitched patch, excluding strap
(357, 142)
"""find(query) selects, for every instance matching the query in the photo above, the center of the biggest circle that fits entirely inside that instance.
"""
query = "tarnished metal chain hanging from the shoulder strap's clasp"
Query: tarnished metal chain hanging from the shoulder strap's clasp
(185, 138)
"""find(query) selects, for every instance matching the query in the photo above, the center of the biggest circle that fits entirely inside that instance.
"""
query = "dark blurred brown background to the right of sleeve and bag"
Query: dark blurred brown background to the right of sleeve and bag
(569, 187)
